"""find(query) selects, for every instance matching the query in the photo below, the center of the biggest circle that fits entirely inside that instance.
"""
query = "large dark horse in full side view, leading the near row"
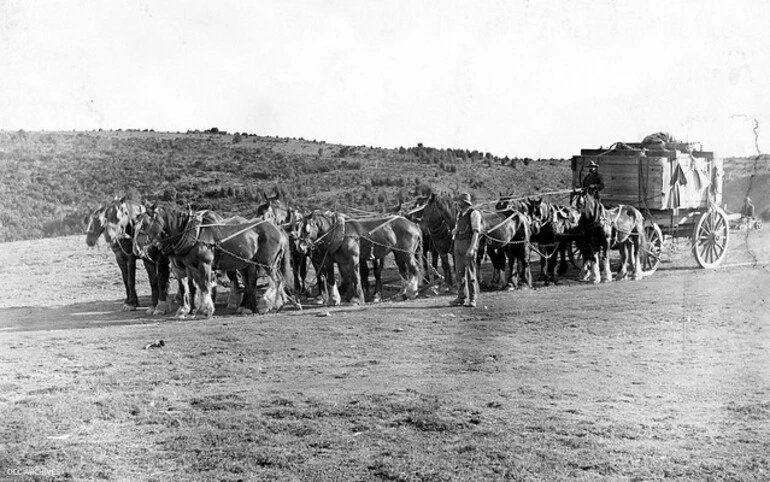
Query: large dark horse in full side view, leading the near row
(205, 241)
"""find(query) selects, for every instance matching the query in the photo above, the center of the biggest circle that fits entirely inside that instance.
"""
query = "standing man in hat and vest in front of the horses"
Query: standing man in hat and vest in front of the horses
(466, 240)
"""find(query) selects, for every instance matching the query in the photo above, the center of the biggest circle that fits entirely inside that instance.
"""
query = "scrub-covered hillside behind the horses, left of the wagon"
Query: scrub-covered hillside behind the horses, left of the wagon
(50, 180)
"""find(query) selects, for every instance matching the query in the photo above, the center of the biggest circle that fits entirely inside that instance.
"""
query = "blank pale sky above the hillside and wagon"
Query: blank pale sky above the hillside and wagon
(535, 78)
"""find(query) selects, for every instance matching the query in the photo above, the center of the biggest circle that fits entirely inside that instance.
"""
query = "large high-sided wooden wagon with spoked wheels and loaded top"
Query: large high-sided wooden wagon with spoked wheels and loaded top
(676, 185)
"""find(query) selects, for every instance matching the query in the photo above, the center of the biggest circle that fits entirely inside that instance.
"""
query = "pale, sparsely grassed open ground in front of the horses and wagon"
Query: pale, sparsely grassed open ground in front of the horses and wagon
(668, 377)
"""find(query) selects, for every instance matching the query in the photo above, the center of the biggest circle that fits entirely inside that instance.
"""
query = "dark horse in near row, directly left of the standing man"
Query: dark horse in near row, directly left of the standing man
(348, 242)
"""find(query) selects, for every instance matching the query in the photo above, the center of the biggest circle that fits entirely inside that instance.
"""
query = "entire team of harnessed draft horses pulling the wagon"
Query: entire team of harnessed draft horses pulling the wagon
(276, 245)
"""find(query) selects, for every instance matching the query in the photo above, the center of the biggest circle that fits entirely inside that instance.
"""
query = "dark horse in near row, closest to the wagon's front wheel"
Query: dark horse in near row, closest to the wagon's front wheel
(621, 227)
